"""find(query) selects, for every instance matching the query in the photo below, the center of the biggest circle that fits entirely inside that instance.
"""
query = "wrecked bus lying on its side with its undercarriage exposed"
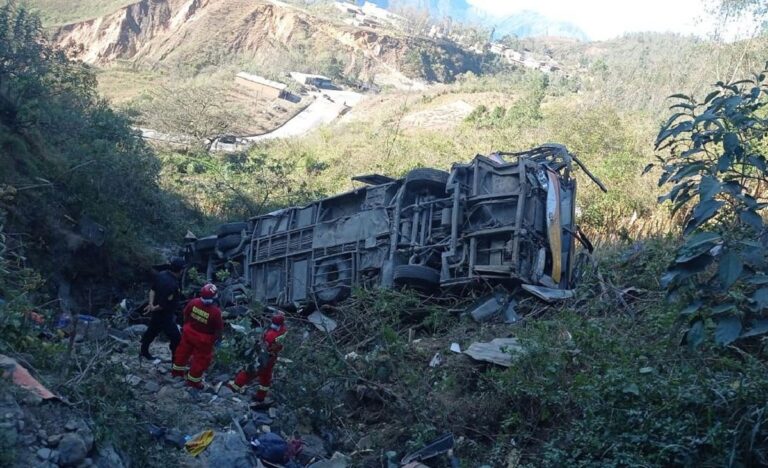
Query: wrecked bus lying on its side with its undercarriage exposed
(507, 218)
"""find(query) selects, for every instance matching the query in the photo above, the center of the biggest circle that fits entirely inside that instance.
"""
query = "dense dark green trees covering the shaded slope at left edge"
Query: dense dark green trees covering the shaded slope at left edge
(68, 156)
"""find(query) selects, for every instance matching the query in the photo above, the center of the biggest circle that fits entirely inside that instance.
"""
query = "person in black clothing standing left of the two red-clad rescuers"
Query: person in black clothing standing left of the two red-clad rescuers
(164, 297)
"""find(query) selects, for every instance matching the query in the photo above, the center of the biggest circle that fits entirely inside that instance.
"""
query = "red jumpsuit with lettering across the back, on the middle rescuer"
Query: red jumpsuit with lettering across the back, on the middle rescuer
(202, 327)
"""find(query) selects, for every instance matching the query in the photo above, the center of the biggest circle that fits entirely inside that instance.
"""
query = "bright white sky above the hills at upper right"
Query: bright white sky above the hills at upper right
(605, 19)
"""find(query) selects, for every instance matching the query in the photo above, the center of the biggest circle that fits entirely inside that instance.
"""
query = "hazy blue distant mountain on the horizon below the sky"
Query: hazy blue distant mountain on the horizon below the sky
(525, 23)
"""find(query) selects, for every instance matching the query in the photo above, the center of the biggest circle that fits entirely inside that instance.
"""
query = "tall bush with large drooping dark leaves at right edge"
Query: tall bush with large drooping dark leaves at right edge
(714, 159)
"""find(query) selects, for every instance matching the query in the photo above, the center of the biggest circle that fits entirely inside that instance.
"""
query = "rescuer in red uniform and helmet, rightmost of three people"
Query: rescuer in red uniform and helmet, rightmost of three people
(271, 345)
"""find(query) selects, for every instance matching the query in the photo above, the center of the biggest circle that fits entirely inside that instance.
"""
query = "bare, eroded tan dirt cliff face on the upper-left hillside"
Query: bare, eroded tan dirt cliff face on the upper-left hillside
(200, 33)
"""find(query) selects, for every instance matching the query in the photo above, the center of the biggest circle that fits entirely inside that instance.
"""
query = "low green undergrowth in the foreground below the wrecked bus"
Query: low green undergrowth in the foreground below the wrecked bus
(603, 380)
